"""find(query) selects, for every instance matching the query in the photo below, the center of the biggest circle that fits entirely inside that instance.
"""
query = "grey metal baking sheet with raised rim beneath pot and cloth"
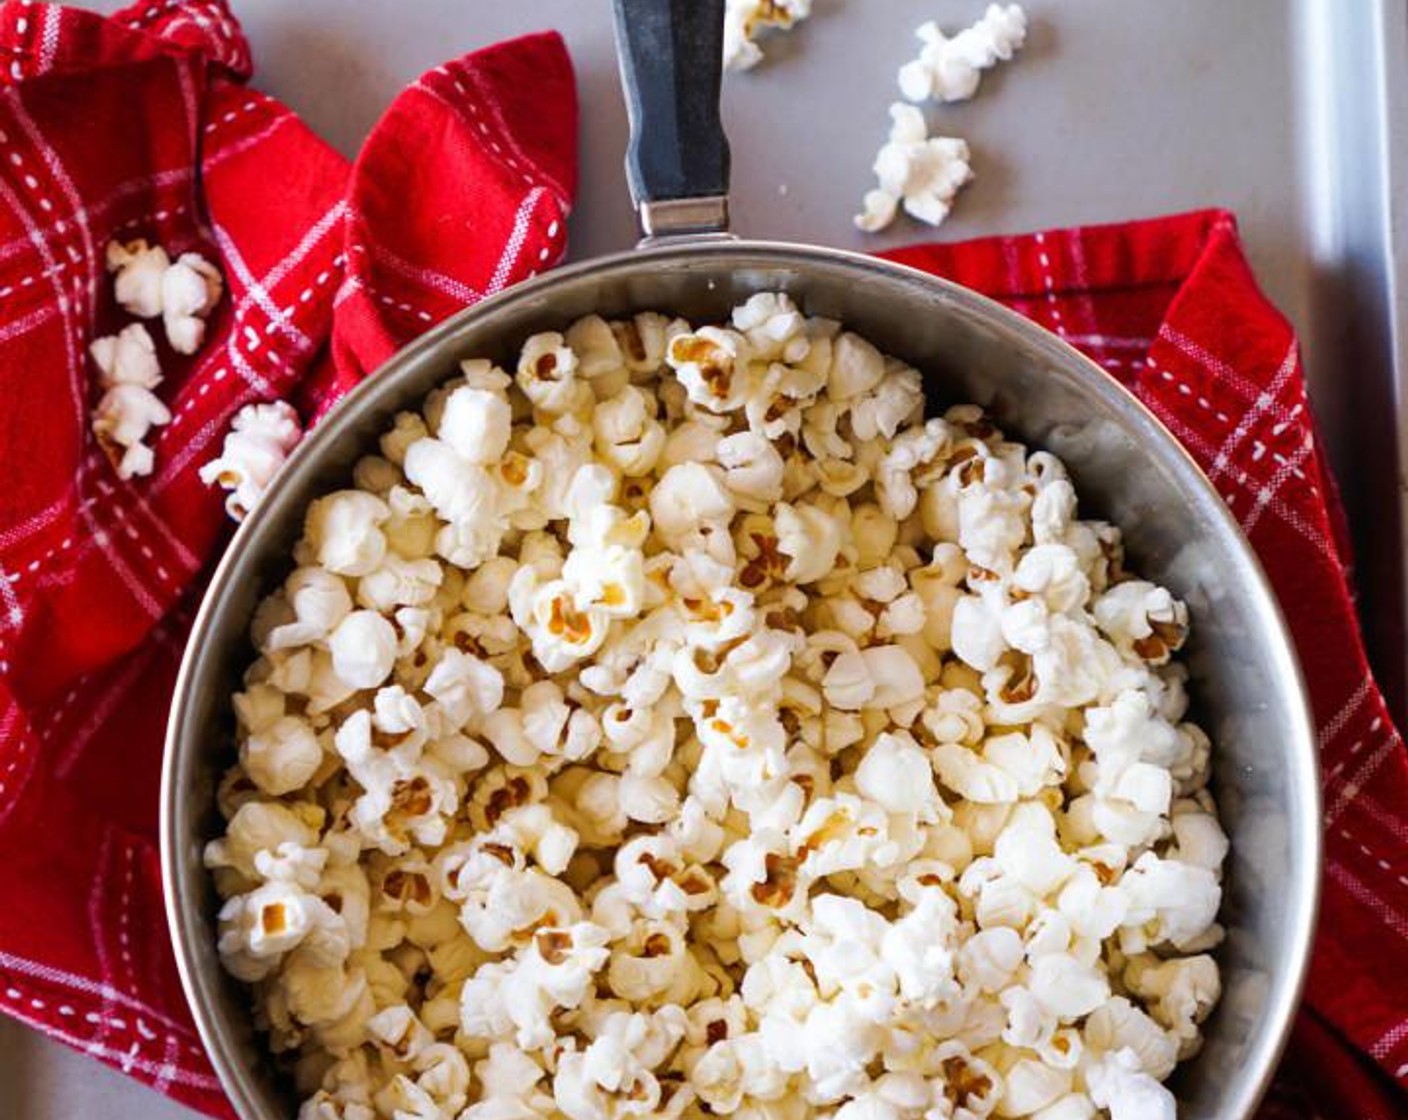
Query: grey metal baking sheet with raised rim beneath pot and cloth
(1290, 113)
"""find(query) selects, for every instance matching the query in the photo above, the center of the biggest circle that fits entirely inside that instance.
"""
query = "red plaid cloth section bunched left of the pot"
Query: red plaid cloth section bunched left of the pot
(142, 125)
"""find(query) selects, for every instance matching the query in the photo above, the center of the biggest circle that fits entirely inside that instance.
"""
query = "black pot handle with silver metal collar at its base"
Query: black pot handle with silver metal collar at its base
(672, 58)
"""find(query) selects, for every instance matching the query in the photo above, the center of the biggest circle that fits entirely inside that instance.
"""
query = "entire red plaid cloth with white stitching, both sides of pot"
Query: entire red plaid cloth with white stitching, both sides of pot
(140, 125)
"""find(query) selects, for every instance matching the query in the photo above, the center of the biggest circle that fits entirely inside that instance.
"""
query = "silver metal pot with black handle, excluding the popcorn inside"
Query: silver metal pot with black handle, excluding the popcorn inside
(1245, 680)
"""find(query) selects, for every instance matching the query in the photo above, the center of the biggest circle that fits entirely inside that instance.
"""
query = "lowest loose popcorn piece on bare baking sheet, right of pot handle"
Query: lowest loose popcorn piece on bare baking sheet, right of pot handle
(924, 174)
